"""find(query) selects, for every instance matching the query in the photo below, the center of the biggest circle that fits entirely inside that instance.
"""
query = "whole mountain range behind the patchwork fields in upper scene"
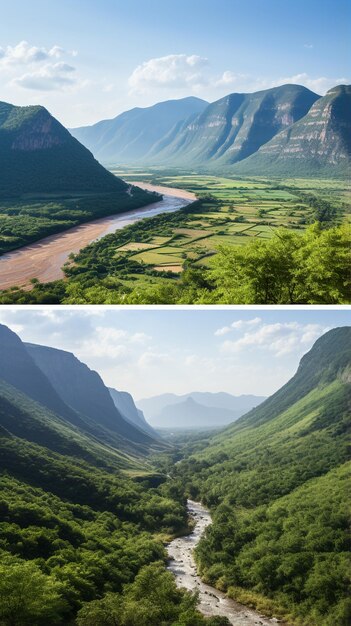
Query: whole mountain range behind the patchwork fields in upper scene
(285, 130)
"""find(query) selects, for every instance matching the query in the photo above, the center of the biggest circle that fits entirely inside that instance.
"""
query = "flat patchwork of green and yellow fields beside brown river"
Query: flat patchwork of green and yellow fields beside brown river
(232, 211)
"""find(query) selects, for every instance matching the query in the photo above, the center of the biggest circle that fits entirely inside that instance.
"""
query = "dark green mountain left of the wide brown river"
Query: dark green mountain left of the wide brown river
(38, 155)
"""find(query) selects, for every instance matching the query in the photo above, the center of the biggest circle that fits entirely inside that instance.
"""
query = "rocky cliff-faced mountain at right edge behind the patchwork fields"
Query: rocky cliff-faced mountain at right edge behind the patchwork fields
(319, 143)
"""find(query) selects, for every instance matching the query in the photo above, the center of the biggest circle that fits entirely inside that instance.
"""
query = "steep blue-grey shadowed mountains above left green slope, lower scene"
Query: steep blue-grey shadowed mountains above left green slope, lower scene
(64, 387)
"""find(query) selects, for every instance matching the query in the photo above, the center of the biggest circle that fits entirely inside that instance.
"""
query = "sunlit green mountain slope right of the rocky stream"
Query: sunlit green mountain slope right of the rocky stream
(276, 481)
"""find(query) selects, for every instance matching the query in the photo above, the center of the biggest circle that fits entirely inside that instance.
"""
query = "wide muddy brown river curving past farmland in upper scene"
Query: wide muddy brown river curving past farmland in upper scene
(44, 259)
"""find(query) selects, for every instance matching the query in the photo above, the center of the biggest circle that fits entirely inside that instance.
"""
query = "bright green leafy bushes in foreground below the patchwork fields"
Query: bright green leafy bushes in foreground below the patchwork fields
(290, 268)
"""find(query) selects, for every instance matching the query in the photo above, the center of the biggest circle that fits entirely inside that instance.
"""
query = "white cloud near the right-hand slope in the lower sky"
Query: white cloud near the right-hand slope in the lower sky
(279, 338)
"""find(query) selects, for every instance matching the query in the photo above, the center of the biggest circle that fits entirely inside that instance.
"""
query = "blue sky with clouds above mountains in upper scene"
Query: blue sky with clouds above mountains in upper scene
(87, 60)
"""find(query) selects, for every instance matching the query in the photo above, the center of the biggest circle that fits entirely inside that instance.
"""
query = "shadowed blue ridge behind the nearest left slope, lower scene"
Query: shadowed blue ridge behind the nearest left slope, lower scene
(83, 389)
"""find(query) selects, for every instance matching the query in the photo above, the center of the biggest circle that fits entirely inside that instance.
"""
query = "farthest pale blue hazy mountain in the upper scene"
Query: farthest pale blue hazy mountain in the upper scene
(131, 135)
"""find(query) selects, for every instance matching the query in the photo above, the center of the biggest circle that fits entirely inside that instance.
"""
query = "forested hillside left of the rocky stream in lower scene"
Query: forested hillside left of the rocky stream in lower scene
(82, 522)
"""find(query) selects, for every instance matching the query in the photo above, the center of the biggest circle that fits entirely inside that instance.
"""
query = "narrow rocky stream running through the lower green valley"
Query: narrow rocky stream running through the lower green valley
(211, 601)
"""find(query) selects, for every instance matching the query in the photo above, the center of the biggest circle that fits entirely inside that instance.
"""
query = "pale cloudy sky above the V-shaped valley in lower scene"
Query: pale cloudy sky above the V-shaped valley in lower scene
(151, 351)
